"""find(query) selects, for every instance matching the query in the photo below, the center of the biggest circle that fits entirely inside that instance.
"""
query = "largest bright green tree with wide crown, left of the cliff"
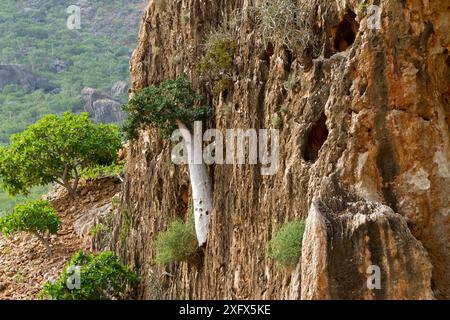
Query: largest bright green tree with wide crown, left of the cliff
(55, 149)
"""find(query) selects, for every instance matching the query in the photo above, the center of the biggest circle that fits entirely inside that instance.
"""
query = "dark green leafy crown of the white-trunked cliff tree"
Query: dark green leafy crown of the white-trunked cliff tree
(162, 106)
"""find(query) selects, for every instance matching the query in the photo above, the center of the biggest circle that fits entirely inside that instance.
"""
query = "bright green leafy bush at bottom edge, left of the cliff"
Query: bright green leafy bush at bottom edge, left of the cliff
(102, 277)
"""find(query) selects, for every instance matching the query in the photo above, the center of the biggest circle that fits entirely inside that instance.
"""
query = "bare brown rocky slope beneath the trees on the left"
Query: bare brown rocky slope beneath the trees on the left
(24, 264)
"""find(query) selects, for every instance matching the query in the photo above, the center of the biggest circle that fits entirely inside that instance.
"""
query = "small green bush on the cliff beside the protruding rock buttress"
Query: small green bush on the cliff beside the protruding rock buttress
(286, 245)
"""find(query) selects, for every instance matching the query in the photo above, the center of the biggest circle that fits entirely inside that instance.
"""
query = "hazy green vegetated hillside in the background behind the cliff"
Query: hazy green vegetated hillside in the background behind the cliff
(46, 65)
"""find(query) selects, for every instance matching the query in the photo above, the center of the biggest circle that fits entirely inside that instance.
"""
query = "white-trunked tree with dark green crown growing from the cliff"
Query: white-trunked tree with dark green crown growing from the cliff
(171, 105)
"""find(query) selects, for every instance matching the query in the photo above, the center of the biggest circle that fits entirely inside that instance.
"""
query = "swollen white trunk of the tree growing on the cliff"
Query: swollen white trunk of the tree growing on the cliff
(201, 184)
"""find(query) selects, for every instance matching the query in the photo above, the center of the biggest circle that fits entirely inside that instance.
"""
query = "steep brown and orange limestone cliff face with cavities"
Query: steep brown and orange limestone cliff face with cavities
(364, 155)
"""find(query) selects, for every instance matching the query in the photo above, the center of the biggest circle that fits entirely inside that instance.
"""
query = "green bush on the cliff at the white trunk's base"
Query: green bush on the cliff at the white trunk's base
(178, 243)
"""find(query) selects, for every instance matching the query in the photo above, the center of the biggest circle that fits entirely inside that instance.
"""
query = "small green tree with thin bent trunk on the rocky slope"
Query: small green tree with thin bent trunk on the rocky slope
(35, 217)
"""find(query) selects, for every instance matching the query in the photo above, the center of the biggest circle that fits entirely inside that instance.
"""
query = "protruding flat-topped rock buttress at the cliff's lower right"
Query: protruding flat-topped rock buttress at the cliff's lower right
(344, 241)
